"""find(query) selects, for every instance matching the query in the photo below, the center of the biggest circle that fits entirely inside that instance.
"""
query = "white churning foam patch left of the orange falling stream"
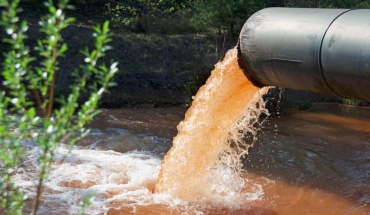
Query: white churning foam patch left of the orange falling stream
(109, 176)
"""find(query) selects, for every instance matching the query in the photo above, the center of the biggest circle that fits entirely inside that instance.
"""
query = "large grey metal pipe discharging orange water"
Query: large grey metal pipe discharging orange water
(318, 50)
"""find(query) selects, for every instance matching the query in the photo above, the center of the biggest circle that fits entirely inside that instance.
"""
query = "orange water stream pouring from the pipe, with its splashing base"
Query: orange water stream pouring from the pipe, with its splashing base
(203, 164)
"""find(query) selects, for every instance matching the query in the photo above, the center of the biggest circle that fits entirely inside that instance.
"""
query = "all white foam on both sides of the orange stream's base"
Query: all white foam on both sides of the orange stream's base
(115, 180)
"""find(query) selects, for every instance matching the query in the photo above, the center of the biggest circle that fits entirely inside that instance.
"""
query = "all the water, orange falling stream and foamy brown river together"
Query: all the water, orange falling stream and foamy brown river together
(301, 163)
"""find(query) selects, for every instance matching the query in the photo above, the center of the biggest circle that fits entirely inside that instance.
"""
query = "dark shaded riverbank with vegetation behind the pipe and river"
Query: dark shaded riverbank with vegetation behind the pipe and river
(166, 48)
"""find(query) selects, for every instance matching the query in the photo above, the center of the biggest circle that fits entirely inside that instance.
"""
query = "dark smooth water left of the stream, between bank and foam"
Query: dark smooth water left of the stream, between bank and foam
(128, 129)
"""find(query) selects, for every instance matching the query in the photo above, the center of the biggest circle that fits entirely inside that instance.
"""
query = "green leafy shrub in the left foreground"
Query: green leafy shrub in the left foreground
(27, 88)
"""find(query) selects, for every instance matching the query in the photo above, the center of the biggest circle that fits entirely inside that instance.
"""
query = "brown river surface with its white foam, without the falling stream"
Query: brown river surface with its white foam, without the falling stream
(302, 163)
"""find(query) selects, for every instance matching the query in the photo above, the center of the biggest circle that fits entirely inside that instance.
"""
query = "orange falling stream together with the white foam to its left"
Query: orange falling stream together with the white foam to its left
(203, 167)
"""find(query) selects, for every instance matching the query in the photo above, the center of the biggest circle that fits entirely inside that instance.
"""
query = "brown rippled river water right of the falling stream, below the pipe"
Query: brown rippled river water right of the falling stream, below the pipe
(306, 157)
